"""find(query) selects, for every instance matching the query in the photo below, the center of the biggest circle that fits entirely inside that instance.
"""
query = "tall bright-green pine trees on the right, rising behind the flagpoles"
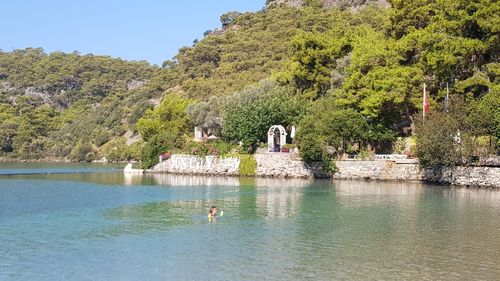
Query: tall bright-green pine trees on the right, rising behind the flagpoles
(378, 68)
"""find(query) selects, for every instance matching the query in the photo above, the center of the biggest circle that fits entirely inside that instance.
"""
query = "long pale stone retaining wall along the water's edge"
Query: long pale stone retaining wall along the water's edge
(284, 165)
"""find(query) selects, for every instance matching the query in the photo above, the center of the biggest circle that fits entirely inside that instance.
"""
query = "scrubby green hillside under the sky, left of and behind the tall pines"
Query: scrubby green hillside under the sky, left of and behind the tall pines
(85, 107)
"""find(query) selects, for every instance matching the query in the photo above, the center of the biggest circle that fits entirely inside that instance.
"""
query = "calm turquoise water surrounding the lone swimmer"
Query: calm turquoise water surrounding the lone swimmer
(93, 223)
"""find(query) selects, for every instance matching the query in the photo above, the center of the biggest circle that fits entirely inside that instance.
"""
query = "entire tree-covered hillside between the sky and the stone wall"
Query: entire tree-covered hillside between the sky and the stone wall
(349, 74)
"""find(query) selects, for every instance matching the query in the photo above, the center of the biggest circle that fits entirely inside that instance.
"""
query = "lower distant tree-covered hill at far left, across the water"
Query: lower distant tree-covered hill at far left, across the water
(69, 105)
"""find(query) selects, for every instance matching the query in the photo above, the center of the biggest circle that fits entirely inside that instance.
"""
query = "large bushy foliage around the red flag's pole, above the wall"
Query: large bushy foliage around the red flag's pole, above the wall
(466, 135)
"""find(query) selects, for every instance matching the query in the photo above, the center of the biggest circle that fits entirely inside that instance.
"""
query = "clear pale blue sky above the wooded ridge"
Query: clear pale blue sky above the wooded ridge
(151, 30)
